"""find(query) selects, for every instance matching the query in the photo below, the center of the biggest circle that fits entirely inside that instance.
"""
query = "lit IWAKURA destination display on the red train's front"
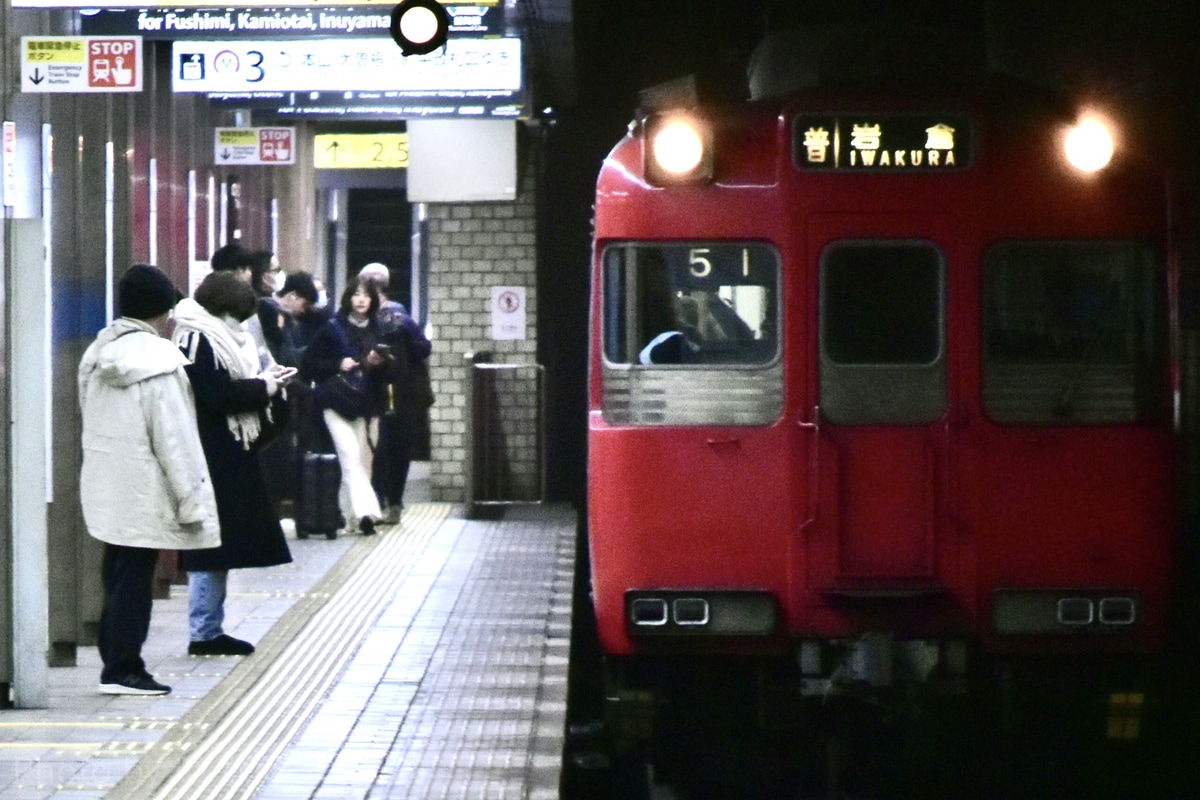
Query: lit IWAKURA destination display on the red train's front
(899, 143)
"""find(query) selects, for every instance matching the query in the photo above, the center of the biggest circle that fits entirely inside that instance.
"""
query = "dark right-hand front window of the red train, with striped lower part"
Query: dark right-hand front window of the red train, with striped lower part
(1075, 334)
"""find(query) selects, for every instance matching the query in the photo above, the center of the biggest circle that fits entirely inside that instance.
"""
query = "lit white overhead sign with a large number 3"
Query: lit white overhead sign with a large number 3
(335, 65)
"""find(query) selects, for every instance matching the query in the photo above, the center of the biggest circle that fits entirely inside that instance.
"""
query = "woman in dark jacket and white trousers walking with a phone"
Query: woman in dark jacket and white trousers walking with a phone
(351, 341)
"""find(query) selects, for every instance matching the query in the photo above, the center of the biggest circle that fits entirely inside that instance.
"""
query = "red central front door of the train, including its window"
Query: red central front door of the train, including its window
(881, 412)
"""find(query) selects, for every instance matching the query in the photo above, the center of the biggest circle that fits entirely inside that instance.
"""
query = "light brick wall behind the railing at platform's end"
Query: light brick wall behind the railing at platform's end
(473, 248)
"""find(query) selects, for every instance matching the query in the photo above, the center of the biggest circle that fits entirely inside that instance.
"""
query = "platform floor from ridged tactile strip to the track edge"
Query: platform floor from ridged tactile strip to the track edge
(437, 670)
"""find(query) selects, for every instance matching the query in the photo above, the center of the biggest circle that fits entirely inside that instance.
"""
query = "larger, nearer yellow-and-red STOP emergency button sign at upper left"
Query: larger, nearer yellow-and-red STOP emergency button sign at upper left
(81, 64)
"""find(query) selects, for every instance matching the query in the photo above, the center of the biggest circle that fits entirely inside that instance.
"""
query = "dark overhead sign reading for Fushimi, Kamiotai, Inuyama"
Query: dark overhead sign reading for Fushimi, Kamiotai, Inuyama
(175, 23)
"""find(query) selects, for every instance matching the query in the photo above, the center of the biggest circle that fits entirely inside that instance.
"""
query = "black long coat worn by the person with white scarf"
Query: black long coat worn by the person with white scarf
(251, 536)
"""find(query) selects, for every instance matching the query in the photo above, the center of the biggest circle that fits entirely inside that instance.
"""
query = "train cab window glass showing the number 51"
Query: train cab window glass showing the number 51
(691, 304)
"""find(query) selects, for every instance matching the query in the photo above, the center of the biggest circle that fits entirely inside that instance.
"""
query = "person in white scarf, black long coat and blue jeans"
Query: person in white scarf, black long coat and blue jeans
(236, 406)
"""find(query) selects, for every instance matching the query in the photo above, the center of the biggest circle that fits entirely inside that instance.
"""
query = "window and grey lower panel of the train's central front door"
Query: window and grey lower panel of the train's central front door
(883, 344)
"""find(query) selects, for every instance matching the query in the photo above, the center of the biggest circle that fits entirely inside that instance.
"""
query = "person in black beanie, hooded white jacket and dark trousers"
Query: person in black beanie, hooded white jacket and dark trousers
(145, 484)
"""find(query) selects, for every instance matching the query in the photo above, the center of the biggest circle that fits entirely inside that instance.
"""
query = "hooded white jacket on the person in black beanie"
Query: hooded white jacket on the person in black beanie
(145, 480)
